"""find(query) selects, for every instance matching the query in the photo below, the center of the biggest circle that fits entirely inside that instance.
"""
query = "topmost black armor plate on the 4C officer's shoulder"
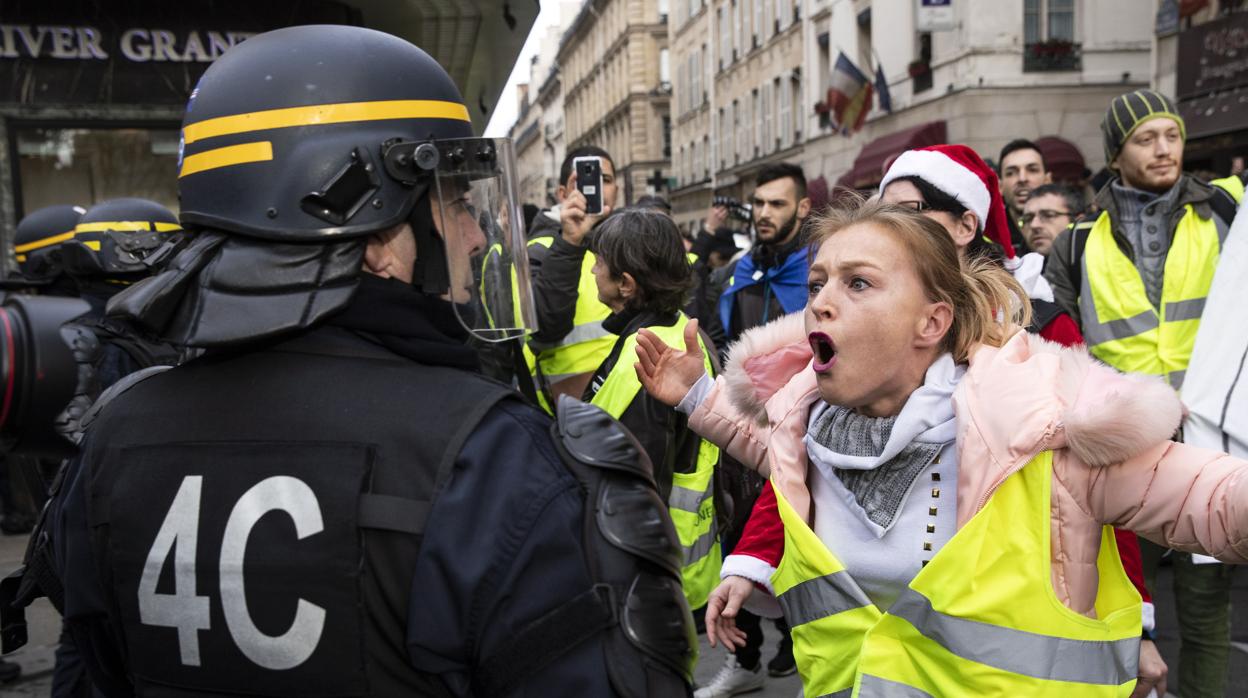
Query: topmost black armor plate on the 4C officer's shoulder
(598, 440)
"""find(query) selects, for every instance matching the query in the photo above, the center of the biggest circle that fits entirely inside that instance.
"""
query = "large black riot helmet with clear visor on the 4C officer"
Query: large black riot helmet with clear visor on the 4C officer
(330, 134)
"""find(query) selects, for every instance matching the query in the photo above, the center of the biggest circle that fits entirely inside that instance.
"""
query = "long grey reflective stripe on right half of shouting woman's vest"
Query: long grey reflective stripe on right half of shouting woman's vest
(1020, 652)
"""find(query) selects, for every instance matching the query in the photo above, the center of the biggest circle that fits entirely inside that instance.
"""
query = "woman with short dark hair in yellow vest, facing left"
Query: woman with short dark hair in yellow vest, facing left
(645, 277)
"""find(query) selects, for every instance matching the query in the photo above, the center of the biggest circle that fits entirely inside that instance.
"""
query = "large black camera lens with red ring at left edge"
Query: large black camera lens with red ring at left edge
(38, 373)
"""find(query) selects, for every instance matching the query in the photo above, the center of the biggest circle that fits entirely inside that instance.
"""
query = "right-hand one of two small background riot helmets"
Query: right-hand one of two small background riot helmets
(115, 238)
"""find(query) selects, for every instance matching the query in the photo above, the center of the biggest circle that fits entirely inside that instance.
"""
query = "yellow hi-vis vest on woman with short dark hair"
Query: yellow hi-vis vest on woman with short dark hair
(692, 503)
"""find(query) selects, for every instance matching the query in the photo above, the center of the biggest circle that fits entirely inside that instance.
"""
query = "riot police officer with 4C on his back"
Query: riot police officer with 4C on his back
(330, 501)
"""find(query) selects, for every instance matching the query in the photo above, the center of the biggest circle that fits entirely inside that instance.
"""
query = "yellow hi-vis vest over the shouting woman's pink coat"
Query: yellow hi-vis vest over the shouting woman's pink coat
(982, 619)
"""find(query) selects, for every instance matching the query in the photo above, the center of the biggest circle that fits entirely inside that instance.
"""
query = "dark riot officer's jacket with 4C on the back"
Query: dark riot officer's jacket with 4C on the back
(244, 471)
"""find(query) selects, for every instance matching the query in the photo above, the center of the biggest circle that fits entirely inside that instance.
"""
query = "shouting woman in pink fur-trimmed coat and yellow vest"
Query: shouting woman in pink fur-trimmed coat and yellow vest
(948, 481)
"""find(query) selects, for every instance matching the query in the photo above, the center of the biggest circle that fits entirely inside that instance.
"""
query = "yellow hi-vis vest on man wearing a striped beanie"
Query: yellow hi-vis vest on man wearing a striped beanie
(1121, 327)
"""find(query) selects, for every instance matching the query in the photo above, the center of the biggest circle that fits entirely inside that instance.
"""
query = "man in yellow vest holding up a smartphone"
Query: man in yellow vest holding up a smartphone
(571, 342)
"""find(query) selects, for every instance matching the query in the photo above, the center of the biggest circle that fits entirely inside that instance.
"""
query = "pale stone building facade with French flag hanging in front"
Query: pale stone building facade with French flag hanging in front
(749, 74)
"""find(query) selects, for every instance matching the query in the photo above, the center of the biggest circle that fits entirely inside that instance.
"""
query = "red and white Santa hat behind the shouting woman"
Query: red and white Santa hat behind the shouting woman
(960, 173)
